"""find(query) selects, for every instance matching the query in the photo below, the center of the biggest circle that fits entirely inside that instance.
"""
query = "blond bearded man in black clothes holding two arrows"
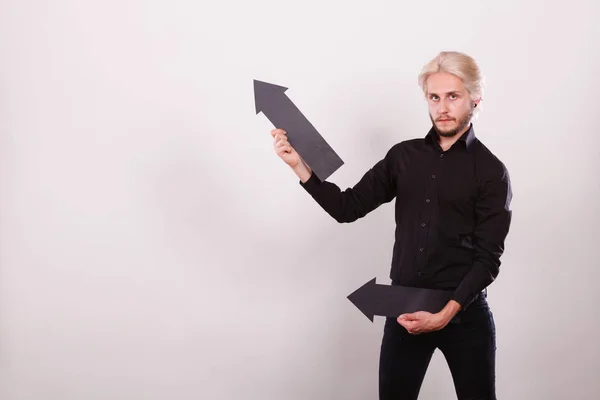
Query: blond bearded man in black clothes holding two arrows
(452, 214)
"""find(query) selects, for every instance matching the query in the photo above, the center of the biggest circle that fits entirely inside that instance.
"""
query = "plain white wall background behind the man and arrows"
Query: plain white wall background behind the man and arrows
(154, 247)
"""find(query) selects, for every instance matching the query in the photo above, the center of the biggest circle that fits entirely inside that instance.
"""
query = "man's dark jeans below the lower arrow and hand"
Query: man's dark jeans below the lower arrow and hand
(468, 345)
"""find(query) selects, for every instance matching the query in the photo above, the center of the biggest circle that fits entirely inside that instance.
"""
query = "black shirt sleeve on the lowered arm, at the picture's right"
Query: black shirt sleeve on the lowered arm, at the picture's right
(493, 222)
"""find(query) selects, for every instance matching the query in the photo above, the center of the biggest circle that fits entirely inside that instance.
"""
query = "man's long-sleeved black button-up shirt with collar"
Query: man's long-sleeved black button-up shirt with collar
(452, 211)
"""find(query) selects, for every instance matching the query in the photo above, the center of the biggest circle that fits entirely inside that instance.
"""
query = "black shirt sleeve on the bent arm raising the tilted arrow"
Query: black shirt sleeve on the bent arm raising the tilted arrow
(376, 187)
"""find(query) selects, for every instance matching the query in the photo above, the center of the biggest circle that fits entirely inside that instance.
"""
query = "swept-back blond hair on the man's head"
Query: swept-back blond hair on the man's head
(458, 64)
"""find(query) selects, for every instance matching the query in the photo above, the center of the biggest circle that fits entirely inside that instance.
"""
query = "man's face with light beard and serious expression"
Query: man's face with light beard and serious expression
(450, 105)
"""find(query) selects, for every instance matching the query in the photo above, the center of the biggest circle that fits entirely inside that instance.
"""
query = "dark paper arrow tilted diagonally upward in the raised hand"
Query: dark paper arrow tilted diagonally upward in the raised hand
(271, 100)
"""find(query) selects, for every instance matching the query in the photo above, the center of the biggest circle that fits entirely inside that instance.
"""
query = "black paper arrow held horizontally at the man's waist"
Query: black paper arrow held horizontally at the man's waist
(391, 301)
